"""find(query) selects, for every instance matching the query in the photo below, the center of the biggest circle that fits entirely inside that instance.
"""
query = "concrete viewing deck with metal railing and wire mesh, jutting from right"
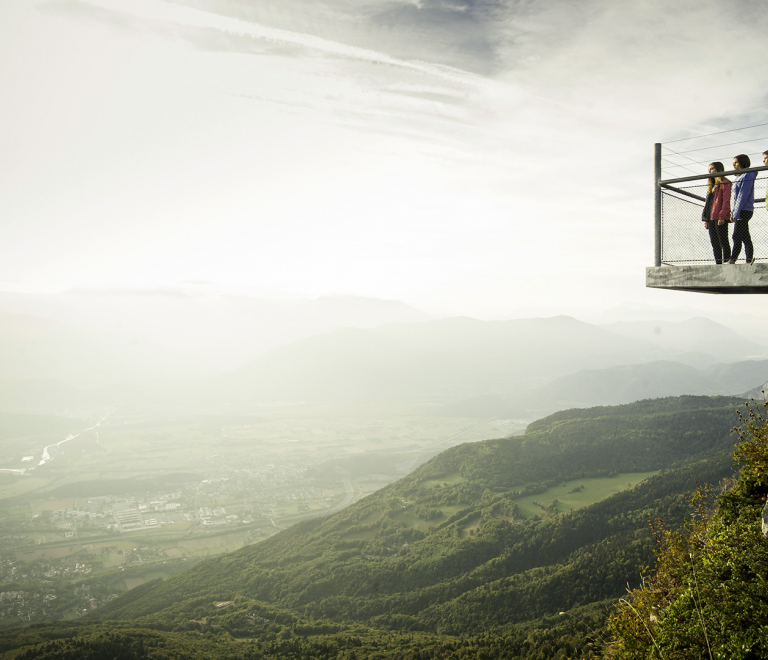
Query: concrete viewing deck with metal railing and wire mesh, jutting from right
(684, 255)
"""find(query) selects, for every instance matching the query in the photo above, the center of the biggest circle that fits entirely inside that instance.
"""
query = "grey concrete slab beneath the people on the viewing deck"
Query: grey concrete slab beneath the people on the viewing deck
(711, 278)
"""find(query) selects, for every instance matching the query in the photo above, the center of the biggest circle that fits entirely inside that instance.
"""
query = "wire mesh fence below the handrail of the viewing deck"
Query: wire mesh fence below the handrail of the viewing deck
(684, 237)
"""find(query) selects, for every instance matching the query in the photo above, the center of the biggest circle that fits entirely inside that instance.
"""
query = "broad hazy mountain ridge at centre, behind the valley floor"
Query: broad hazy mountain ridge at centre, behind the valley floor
(448, 357)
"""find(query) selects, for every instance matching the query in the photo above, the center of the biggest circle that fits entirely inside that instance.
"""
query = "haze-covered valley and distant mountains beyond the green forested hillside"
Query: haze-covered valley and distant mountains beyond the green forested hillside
(127, 458)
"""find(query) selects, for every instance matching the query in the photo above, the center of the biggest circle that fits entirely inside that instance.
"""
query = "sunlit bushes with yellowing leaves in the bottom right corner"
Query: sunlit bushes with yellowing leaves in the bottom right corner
(708, 594)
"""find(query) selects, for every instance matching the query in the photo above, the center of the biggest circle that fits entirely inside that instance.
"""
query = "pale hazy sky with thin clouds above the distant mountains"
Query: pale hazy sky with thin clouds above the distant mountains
(484, 157)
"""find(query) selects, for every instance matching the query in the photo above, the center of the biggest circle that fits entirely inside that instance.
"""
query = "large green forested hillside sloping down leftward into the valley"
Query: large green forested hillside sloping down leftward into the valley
(445, 553)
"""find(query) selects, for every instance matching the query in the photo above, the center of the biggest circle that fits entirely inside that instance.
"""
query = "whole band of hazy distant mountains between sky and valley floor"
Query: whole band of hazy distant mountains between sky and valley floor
(104, 349)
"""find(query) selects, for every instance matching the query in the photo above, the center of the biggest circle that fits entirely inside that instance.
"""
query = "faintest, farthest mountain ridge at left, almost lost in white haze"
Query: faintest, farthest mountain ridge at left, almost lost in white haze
(217, 330)
